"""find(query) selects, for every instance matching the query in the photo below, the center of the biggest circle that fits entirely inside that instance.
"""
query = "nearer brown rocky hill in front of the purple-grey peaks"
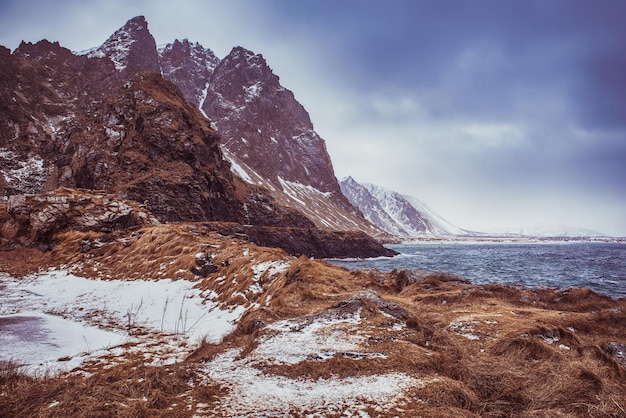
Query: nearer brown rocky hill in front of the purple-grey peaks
(150, 145)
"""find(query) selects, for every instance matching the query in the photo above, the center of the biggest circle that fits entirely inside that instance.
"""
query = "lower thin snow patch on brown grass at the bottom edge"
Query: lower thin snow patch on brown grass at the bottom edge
(254, 393)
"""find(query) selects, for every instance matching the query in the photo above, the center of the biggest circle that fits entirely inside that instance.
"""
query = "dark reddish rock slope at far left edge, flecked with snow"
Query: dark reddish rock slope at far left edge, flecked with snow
(43, 87)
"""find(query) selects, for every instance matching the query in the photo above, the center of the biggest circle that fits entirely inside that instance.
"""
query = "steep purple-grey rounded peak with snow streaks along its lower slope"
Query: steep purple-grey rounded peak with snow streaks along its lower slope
(269, 138)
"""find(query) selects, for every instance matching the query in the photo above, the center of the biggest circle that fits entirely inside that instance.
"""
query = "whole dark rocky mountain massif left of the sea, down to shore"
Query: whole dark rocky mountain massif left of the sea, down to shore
(80, 121)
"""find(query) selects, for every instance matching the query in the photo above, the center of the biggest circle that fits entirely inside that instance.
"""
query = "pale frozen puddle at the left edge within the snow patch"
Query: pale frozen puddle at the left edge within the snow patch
(45, 342)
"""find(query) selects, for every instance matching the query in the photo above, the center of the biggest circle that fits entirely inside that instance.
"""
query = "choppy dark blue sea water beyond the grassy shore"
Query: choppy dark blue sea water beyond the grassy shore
(598, 266)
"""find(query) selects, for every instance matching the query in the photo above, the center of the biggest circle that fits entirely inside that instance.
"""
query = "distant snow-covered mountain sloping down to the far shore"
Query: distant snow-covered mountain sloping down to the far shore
(403, 216)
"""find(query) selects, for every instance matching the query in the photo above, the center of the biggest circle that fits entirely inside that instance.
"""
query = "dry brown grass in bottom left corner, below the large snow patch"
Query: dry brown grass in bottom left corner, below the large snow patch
(129, 390)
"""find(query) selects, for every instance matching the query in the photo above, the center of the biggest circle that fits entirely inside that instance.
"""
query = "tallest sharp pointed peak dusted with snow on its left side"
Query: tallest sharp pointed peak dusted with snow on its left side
(132, 48)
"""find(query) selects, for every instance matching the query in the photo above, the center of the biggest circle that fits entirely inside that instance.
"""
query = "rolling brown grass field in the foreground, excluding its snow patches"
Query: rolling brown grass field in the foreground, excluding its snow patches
(477, 351)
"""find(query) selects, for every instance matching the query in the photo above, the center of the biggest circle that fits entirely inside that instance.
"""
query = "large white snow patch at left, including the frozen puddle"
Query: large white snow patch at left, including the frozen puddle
(70, 314)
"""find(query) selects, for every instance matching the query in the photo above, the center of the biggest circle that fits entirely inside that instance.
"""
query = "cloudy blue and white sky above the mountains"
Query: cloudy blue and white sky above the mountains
(495, 113)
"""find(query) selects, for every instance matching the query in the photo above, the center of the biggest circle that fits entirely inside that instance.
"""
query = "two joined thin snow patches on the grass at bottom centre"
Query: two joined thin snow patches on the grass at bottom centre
(255, 392)
